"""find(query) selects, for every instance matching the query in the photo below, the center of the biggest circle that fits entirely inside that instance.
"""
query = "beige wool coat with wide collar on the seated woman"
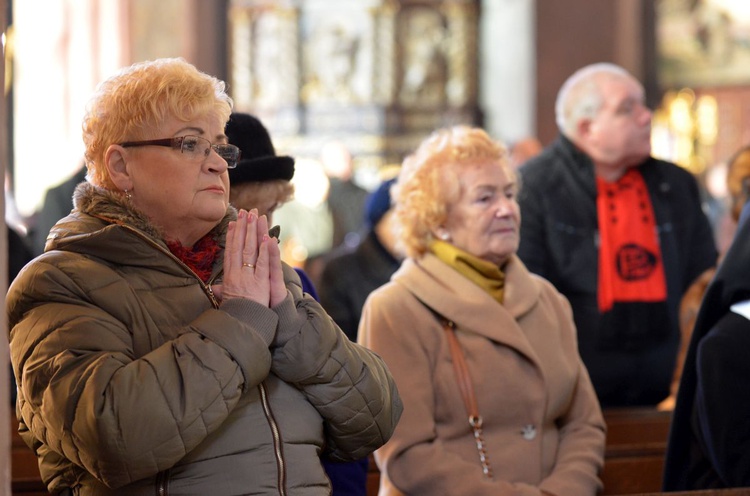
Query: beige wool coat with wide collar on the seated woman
(543, 426)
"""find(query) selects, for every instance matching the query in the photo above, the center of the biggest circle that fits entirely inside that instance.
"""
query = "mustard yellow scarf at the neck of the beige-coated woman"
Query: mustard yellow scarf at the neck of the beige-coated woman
(486, 275)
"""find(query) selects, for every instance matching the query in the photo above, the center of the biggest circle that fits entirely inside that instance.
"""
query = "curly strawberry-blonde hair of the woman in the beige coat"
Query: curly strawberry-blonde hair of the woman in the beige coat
(428, 183)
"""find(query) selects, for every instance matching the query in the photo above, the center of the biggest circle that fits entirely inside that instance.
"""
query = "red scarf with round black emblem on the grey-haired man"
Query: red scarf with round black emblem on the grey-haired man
(630, 263)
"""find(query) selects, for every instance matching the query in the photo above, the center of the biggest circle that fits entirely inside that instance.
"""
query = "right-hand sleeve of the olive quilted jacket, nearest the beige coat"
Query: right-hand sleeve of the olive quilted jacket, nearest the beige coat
(349, 385)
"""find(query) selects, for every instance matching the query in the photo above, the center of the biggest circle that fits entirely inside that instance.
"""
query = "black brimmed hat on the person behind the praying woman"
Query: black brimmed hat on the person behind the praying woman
(258, 161)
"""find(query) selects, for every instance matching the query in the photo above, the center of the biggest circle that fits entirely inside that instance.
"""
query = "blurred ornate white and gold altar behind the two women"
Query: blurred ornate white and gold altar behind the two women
(379, 75)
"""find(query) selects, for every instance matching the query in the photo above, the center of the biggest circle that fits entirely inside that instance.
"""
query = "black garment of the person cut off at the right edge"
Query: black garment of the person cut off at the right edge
(709, 440)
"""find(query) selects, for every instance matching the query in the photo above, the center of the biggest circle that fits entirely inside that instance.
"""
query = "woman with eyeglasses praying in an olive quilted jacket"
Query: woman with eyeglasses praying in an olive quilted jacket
(159, 344)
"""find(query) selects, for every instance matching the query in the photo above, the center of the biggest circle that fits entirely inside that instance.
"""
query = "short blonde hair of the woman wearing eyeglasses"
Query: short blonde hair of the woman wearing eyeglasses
(137, 99)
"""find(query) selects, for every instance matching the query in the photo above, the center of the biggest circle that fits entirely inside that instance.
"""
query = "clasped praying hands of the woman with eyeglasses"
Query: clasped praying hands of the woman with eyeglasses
(252, 262)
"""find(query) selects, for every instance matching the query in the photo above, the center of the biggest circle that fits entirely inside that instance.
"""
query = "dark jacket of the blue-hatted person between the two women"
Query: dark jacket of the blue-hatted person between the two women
(348, 278)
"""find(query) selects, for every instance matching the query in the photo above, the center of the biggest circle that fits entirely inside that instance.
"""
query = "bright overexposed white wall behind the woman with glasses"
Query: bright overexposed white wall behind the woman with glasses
(59, 59)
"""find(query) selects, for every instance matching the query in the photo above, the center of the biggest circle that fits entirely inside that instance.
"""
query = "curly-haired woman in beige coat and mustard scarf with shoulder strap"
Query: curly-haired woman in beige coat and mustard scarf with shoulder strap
(538, 427)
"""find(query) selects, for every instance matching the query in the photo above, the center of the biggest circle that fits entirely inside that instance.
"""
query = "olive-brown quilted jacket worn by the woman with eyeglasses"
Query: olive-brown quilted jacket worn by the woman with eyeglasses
(133, 379)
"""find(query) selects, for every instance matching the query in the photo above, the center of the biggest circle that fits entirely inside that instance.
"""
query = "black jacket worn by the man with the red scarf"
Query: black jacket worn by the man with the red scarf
(630, 355)
